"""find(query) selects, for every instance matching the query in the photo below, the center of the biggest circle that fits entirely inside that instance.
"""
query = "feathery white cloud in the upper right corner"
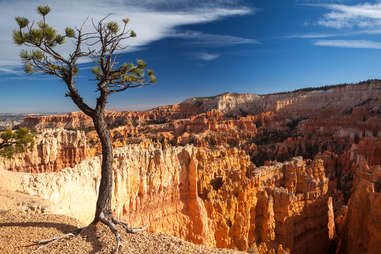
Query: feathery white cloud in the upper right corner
(348, 16)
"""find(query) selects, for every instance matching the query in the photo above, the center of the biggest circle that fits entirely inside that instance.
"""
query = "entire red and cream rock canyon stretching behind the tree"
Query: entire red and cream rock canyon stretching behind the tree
(296, 172)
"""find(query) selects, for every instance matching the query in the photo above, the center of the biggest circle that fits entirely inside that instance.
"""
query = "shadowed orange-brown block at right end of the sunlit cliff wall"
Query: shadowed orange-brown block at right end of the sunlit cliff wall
(294, 198)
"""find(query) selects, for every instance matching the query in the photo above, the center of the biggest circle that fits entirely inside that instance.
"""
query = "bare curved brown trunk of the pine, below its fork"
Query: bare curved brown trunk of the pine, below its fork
(103, 208)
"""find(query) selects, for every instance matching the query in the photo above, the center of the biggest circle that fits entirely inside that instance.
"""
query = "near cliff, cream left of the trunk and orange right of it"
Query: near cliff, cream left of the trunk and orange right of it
(210, 197)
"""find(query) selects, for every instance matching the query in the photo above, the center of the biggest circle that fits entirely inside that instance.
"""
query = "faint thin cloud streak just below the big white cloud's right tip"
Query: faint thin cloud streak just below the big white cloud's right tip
(212, 40)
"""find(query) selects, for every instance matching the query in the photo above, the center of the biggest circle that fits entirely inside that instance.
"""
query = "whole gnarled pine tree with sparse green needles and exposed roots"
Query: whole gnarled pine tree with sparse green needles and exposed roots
(43, 42)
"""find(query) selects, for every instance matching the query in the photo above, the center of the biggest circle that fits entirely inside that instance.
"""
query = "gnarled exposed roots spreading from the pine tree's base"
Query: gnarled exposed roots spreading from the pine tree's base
(111, 223)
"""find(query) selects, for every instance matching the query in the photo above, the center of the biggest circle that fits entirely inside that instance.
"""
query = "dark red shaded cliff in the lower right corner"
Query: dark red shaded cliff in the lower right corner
(361, 219)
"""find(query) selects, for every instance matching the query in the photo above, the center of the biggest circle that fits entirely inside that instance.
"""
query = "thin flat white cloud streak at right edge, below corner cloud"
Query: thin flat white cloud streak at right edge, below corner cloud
(364, 44)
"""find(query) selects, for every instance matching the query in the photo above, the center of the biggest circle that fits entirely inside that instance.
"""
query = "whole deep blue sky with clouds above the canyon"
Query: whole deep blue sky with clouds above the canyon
(203, 48)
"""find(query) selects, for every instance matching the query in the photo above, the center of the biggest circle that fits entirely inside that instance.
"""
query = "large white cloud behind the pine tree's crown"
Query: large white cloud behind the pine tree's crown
(152, 20)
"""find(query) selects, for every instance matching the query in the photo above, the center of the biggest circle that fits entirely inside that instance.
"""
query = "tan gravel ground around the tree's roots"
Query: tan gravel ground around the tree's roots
(18, 230)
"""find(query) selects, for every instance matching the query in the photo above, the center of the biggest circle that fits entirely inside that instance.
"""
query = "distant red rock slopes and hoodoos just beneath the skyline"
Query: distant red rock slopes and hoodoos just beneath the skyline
(270, 127)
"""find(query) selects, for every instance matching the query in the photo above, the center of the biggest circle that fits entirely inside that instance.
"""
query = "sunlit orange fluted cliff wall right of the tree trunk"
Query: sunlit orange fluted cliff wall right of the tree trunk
(219, 198)
